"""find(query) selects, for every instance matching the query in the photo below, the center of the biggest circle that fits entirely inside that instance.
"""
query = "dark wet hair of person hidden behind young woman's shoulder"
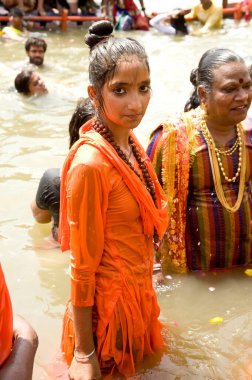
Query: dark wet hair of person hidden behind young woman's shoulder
(84, 111)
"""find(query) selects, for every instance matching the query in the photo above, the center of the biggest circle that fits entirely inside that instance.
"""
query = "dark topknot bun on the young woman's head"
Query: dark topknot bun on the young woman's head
(97, 32)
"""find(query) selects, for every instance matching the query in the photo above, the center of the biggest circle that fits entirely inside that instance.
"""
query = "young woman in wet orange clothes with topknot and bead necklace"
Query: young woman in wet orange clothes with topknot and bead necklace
(112, 207)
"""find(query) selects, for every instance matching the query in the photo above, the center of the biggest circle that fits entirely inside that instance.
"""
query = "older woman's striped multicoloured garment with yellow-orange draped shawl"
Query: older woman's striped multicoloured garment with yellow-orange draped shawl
(202, 234)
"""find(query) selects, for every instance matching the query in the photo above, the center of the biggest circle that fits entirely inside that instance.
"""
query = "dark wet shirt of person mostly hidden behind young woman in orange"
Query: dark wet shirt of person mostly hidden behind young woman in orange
(48, 196)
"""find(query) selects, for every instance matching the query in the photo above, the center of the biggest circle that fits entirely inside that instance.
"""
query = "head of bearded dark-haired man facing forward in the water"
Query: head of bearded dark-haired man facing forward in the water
(35, 49)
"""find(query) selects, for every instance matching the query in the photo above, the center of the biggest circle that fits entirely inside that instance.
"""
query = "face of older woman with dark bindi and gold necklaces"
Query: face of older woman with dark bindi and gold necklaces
(229, 99)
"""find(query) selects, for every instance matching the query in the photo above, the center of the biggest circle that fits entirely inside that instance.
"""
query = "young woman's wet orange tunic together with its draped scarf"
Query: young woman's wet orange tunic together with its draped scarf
(107, 218)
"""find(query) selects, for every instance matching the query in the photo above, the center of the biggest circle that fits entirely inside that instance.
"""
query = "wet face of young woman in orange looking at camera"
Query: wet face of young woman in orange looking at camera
(126, 95)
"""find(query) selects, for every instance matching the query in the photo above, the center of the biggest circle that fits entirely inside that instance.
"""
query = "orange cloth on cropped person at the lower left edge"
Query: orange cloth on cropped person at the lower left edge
(6, 320)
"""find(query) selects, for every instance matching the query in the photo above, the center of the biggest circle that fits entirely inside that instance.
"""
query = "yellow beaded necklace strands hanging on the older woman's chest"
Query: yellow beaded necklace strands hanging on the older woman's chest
(217, 166)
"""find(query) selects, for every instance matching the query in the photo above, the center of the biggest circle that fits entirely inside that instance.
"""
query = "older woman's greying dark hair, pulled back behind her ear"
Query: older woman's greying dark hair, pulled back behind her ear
(203, 75)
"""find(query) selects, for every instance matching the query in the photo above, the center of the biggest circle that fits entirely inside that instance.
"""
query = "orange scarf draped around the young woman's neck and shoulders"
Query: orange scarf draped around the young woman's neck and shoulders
(152, 216)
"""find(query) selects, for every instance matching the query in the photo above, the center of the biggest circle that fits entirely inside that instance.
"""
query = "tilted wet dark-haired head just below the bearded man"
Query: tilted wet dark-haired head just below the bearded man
(29, 83)
